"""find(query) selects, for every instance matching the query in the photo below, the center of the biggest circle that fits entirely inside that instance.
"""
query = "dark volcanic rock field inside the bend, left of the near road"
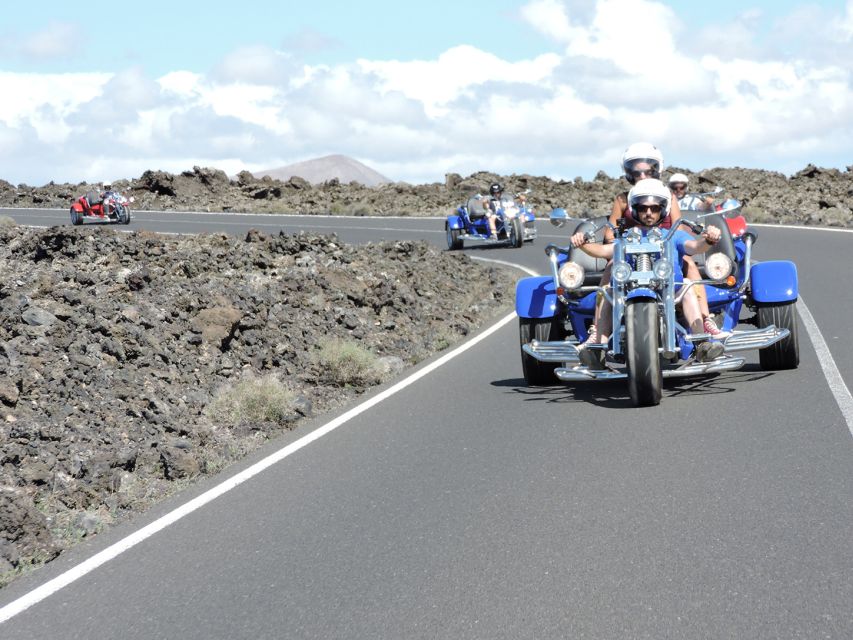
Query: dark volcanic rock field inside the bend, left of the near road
(115, 349)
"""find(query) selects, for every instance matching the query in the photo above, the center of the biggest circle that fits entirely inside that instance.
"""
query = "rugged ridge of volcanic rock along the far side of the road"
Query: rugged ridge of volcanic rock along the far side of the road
(810, 196)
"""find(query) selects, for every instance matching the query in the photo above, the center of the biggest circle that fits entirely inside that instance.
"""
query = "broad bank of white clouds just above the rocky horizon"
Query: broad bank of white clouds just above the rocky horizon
(620, 71)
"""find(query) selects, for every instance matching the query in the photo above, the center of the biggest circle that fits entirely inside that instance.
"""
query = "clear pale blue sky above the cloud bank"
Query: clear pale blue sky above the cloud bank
(164, 35)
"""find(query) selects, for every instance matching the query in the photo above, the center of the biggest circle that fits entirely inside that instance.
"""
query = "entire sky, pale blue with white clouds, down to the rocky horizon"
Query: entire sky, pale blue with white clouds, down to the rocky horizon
(419, 89)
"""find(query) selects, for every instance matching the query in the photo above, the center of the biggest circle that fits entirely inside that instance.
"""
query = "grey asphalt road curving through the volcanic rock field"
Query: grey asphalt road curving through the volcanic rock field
(466, 505)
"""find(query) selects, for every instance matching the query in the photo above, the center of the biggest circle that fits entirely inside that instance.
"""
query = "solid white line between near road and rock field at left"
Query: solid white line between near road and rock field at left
(49, 588)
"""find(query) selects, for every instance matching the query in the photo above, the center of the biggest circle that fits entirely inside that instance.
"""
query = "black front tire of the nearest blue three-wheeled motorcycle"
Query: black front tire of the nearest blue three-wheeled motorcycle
(642, 332)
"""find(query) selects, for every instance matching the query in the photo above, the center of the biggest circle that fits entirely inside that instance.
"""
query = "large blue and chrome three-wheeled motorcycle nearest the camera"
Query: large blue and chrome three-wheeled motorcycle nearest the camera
(650, 341)
